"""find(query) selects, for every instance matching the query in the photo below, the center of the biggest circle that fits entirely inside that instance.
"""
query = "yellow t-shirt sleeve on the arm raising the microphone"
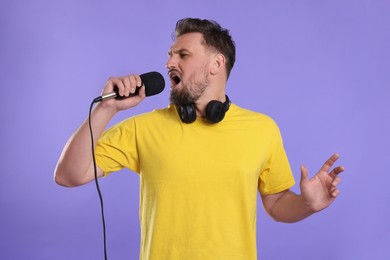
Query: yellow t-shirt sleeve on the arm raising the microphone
(117, 148)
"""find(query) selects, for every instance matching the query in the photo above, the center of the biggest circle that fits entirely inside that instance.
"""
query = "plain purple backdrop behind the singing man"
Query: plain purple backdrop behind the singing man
(321, 69)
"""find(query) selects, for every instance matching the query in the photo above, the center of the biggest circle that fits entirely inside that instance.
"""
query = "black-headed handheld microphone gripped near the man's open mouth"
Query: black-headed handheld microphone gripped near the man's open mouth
(153, 81)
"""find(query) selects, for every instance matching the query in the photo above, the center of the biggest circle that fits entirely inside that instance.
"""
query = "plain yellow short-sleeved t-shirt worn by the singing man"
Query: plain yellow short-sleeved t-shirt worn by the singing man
(199, 181)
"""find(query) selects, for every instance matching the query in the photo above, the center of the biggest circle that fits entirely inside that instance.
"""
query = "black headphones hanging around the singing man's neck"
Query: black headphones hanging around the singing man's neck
(215, 111)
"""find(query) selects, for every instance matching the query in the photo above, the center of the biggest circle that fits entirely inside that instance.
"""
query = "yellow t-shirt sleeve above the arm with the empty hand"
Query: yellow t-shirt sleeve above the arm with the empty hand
(276, 175)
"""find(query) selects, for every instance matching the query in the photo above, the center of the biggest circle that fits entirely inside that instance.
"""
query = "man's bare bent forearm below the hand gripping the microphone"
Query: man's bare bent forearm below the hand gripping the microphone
(75, 166)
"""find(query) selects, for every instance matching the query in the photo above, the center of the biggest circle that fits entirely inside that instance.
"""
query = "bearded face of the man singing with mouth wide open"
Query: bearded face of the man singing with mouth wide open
(188, 68)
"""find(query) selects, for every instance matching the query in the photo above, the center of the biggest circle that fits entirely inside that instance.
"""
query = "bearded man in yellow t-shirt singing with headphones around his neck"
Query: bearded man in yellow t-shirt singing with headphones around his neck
(201, 160)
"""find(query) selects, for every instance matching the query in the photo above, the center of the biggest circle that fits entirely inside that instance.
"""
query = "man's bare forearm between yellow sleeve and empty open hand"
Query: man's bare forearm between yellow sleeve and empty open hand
(290, 208)
